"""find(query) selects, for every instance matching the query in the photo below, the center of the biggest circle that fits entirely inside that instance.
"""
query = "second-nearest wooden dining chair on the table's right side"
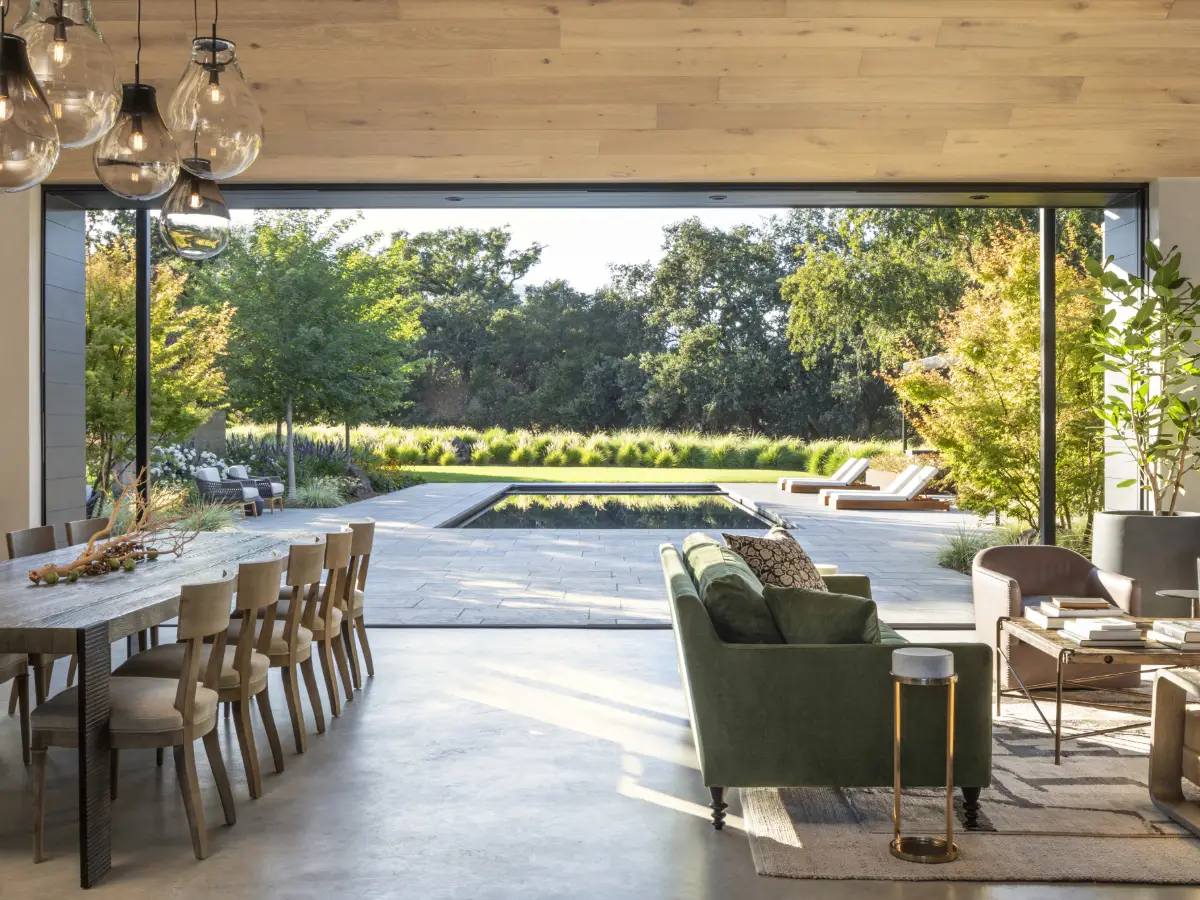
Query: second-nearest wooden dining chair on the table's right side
(244, 671)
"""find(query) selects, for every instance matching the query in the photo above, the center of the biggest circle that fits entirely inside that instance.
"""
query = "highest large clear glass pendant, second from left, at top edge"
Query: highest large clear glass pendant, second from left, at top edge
(75, 67)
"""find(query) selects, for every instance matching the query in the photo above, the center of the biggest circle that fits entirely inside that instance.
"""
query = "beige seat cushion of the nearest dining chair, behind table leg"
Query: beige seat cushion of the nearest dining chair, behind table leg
(139, 705)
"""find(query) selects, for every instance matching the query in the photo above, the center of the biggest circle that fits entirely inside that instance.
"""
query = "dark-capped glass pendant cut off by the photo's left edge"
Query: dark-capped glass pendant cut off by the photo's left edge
(29, 141)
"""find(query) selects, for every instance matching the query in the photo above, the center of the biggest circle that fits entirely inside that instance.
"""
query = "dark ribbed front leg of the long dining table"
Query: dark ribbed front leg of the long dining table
(95, 821)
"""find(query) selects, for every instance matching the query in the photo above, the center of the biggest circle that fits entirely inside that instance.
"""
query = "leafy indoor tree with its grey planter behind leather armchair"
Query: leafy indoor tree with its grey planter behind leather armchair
(1145, 341)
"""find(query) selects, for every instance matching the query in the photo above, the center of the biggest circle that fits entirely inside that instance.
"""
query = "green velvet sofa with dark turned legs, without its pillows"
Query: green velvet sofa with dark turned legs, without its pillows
(806, 716)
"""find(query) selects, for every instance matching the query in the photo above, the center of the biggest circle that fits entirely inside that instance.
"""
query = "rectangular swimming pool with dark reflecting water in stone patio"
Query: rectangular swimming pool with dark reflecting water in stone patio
(613, 508)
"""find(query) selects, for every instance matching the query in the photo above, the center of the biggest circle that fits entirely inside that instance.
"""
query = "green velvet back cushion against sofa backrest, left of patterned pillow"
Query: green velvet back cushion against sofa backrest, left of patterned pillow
(731, 595)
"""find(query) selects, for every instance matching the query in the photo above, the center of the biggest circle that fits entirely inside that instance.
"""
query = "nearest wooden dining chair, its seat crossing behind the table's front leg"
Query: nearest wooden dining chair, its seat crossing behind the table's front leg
(157, 713)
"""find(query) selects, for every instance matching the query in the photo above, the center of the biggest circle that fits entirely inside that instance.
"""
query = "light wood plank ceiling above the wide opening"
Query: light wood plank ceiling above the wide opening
(699, 91)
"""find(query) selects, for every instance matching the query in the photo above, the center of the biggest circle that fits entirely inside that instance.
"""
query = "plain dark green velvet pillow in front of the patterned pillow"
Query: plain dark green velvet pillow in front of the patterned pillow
(819, 617)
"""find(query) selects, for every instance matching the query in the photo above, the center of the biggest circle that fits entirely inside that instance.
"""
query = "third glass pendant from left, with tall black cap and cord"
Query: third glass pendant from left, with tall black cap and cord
(137, 159)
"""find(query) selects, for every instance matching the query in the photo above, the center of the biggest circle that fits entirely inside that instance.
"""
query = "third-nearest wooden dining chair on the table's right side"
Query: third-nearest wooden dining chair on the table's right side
(286, 643)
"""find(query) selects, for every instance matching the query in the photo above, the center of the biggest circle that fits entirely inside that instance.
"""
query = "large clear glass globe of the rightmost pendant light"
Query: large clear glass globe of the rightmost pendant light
(214, 111)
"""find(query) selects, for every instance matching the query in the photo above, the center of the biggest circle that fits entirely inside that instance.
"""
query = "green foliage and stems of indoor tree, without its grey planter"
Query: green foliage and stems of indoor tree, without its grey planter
(1144, 338)
